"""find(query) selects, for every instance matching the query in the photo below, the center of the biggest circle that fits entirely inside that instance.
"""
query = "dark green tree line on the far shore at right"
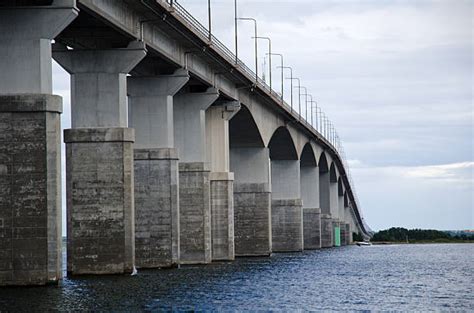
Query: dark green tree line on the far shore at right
(399, 234)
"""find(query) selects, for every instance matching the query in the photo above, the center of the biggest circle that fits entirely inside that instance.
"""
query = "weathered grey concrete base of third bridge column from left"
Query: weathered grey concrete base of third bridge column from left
(156, 208)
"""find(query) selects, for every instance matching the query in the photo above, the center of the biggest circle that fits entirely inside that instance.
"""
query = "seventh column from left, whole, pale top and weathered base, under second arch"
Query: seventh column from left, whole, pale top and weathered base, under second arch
(287, 214)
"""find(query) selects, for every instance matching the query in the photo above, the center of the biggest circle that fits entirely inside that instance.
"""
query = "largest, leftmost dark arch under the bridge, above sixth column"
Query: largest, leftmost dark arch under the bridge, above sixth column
(244, 131)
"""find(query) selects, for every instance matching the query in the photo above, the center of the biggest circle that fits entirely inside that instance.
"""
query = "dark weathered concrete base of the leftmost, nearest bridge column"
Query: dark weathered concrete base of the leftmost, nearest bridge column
(30, 189)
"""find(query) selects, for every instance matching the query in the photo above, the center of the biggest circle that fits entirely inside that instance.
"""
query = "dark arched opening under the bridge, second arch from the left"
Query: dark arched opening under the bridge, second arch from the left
(282, 146)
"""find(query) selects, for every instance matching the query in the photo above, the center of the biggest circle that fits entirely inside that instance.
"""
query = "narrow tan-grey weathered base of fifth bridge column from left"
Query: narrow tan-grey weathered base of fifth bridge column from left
(222, 216)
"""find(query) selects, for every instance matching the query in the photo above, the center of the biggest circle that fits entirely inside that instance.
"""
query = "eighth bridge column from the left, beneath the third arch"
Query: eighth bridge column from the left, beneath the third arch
(311, 208)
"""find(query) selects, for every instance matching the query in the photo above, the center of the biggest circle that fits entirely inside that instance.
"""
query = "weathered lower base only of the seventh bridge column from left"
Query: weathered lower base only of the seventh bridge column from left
(287, 225)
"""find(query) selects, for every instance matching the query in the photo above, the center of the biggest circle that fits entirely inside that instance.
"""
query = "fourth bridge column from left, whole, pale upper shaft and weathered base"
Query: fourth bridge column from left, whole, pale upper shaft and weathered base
(194, 175)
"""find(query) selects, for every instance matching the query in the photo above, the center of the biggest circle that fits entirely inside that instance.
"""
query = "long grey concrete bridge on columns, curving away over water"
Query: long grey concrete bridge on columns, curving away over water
(178, 152)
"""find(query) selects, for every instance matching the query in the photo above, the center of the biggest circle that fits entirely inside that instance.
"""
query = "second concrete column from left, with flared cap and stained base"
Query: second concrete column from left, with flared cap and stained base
(99, 160)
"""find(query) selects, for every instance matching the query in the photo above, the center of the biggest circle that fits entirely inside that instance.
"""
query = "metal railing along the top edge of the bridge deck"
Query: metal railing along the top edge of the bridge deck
(225, 52)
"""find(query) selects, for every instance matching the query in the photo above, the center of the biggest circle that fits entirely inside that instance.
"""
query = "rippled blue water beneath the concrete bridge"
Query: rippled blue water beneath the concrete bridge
(398, 277)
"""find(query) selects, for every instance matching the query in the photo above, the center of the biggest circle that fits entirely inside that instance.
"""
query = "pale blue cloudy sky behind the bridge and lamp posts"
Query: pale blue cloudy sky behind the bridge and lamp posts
(395, 78)
